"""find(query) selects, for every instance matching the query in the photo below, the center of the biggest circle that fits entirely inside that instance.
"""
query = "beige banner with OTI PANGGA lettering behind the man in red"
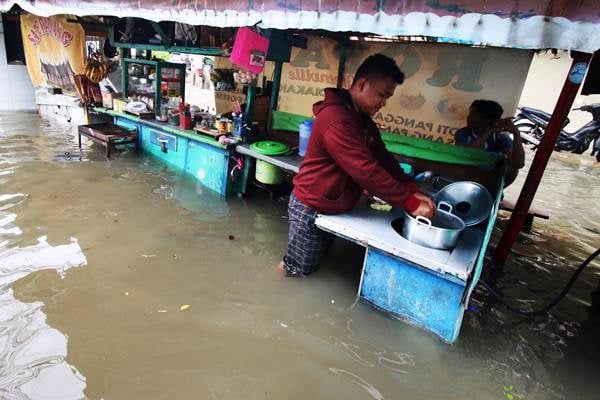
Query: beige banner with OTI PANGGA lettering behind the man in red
(442, 80)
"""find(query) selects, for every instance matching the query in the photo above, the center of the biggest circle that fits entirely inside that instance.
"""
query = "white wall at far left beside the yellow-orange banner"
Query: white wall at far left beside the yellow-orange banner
(16, 90)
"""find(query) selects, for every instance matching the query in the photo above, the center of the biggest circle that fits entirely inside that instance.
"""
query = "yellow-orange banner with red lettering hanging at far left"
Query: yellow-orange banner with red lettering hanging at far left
(54, 51)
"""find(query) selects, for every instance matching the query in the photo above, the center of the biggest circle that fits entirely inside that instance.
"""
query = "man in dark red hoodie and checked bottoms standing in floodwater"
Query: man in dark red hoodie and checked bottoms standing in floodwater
(345, 156)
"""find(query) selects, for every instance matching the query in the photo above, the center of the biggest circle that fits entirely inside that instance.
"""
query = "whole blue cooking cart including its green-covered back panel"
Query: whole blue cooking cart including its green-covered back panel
(427, 287)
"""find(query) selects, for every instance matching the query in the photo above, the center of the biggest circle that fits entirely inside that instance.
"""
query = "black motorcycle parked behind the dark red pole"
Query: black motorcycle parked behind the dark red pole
(532, 124)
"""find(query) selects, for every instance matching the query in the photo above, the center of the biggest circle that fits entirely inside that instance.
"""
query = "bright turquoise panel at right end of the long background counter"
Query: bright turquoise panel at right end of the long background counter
(208, 165)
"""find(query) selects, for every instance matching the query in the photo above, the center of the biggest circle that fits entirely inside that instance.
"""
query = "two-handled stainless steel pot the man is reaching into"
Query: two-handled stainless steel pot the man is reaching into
(441, 232)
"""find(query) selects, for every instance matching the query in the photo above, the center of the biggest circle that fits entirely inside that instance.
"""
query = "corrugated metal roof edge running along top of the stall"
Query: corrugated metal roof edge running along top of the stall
(533, 24)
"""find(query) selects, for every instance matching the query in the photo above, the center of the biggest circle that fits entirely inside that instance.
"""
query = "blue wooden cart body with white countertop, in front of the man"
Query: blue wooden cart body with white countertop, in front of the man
(426, 287)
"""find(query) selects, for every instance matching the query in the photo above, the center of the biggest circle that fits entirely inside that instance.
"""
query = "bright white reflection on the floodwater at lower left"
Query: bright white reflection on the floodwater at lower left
(34, 353)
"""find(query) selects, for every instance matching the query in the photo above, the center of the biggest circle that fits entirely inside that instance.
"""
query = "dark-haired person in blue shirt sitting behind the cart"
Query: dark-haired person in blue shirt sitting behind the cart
(487, 130)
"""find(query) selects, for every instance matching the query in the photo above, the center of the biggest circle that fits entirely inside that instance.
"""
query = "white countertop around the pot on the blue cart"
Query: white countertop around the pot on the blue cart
(371, 228)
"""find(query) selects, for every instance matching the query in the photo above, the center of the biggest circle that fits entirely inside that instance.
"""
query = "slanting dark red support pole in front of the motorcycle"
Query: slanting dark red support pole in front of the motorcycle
(542, 155)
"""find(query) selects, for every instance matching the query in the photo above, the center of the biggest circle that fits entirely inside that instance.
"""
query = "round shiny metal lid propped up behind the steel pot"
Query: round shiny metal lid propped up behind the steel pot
(470, 201)
